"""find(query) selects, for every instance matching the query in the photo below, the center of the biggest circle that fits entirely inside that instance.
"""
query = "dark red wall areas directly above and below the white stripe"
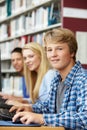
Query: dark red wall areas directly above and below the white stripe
(75, 24)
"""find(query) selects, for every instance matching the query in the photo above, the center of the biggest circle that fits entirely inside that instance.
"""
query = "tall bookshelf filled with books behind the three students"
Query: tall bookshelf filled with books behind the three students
(24, 21)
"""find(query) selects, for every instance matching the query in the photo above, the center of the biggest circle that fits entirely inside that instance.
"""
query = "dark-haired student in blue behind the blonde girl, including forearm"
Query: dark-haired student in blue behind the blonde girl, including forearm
(18, 65)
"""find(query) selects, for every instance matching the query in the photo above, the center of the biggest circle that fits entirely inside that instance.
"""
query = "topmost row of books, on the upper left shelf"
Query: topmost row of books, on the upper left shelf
(11, 7)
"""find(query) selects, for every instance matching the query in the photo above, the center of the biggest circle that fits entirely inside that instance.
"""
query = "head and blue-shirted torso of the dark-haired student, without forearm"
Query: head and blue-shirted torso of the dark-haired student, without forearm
(18, 64)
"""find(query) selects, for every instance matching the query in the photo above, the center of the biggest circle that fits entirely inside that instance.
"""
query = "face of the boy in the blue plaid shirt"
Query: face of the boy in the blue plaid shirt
(59, 56)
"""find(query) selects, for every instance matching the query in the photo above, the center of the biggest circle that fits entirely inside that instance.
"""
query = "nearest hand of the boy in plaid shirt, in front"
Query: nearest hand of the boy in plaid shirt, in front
(29, 117)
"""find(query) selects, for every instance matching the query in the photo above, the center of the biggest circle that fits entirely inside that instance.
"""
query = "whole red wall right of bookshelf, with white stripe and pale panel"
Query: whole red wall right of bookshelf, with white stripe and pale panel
(75, 18)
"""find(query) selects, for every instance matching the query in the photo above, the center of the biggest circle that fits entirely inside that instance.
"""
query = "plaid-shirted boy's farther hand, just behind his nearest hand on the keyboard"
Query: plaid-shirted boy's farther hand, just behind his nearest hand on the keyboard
(21, 108)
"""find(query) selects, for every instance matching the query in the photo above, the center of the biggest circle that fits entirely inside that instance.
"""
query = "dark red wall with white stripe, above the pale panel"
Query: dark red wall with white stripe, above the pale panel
(75, 15)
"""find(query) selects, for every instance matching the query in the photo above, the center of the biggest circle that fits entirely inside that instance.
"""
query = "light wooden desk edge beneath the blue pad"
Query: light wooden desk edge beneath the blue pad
(31, 128)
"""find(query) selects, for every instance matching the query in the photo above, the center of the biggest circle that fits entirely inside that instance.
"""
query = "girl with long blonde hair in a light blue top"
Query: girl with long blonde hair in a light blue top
(36, 65)
